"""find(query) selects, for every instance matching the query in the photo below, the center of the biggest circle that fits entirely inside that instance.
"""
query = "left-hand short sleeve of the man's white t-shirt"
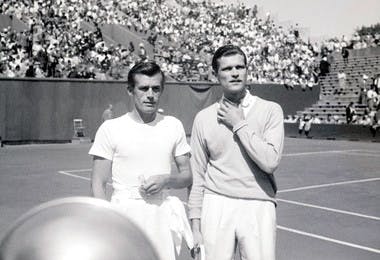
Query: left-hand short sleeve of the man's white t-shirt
(102, 145)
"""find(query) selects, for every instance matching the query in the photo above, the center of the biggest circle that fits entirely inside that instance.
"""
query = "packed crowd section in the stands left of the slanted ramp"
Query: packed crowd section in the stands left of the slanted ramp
(55, 45)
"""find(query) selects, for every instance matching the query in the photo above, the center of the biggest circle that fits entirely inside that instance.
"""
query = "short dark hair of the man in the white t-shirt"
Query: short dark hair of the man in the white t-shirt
(148, 68)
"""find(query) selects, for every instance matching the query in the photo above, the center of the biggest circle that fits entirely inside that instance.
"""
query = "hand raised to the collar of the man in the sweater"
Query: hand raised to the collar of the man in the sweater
(229, 114)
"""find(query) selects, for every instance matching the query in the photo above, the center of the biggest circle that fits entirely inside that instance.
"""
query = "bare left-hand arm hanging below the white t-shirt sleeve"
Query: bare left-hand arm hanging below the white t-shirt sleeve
(101, 172)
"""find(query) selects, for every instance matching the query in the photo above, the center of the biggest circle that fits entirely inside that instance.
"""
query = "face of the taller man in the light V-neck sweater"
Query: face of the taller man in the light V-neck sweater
(232, 74)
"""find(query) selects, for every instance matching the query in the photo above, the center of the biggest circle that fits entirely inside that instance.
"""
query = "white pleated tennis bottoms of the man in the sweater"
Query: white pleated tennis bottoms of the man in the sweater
(228, 222)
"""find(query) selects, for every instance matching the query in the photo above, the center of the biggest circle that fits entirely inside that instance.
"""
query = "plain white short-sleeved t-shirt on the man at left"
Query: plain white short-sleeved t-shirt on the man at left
(136, 148)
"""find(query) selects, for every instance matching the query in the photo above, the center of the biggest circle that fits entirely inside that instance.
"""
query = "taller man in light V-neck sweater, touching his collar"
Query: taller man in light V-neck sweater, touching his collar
(236, 146)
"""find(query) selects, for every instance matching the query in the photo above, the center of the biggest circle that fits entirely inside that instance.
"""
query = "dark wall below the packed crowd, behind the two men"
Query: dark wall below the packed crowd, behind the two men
(44, 109)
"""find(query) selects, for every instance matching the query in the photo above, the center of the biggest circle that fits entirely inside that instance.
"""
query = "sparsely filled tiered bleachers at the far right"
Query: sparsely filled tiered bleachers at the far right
(360, 72)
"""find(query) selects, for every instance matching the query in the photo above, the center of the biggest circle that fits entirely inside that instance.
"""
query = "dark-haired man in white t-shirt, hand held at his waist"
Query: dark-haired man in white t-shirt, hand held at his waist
(136, 150)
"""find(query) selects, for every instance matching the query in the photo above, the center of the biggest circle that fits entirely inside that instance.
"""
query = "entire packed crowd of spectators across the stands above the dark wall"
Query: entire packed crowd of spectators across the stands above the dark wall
(184, 37)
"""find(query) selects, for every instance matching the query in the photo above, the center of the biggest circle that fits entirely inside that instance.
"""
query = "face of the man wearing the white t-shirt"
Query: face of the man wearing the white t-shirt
(146, 93)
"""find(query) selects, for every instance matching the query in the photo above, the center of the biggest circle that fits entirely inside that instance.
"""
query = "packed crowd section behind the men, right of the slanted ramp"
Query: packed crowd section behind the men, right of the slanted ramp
(194, 29)
